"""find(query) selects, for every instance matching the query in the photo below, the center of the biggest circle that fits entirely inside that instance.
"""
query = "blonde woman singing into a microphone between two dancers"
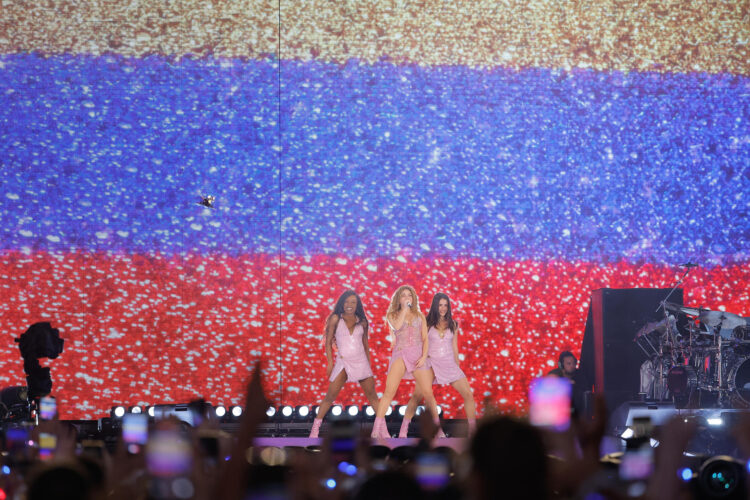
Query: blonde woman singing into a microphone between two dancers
(409, 358)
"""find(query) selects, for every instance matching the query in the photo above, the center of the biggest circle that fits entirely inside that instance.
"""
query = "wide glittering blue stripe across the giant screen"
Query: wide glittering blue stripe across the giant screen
(110, 154)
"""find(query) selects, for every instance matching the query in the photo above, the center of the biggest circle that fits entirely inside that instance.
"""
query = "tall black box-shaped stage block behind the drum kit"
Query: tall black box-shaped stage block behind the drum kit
(610, 358)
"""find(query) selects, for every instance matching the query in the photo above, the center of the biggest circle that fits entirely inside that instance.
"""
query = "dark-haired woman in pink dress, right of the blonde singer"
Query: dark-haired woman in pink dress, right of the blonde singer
(443, 358)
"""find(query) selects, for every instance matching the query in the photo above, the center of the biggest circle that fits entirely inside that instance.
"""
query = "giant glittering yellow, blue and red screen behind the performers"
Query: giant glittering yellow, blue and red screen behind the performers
(514, 155)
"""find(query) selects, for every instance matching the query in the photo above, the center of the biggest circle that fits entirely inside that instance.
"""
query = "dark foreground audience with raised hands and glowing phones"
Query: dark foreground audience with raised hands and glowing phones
(506, 457)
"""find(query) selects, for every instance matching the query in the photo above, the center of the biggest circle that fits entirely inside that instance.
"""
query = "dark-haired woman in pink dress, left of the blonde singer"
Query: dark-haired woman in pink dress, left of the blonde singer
(346, 326)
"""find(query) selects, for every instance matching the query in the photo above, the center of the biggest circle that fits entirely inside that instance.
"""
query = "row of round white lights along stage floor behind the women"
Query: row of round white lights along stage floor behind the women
(285, 413)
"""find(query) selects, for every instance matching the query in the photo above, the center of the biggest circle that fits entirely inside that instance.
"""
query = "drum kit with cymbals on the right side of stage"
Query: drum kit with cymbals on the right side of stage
(697, 354)
